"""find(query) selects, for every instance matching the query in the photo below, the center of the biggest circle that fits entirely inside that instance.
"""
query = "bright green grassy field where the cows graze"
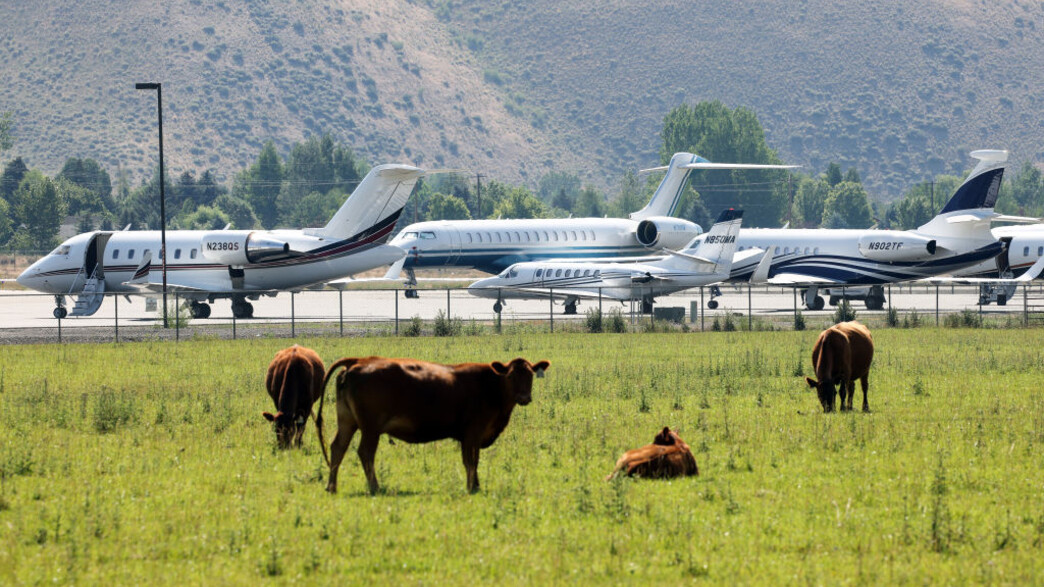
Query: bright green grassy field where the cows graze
(151, 463)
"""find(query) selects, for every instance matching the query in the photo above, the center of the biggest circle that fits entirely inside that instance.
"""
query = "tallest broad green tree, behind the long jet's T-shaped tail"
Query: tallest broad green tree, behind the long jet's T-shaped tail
(728, 136)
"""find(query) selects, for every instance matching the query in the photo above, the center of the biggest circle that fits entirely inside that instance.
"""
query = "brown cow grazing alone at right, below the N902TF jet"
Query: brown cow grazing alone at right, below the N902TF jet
(842, 355)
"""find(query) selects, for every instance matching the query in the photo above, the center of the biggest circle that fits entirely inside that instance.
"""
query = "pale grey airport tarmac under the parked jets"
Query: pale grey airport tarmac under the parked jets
(28, 317)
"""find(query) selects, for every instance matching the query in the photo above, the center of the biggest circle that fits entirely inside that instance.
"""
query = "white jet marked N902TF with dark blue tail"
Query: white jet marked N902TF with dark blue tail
(817, 260)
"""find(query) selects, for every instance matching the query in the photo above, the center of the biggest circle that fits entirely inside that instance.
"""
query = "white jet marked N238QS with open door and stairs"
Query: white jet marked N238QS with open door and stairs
(241, 265)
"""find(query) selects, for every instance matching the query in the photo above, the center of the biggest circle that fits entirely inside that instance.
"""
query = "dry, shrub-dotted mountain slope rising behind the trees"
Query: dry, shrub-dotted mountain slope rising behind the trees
(513, 90)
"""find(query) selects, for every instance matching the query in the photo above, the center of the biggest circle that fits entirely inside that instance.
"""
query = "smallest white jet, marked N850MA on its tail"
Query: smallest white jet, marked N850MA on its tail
(707, 260)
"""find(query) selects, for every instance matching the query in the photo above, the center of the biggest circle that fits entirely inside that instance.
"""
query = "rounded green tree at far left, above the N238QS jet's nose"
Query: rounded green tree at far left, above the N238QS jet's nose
(39, 213)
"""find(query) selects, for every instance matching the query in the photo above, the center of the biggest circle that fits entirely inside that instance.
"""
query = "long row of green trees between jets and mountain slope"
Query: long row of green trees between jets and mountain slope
(306, 186)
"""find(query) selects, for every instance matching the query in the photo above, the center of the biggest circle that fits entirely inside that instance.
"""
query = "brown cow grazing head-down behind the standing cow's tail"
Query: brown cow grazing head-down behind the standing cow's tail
(295, 383)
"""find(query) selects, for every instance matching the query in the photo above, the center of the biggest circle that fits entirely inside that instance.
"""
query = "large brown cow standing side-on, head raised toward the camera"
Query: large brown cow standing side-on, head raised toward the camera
(418, 402)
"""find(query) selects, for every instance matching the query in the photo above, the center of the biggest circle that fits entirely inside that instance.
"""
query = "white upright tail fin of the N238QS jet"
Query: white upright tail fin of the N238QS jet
(375, 205)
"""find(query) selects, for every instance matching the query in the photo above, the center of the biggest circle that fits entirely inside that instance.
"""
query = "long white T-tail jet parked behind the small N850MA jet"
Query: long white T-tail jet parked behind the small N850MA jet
(492, 246)
